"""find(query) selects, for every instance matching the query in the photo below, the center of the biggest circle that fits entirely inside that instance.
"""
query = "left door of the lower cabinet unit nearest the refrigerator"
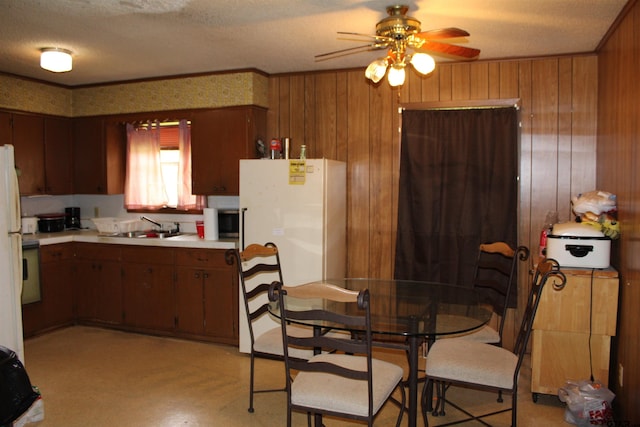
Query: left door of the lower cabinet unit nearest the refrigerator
(189, 300)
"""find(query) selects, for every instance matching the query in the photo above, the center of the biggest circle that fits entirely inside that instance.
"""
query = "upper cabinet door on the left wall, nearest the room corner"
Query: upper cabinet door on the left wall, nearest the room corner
(58, 156)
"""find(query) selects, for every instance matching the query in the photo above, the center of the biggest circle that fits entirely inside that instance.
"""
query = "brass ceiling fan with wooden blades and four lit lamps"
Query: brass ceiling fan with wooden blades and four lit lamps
(398, 32)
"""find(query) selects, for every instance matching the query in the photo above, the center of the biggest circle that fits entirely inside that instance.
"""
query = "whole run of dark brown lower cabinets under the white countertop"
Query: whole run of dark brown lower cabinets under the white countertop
(184, 292)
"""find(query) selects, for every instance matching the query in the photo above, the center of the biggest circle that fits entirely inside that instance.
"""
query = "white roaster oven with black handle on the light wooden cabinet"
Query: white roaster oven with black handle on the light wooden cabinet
(574, 244)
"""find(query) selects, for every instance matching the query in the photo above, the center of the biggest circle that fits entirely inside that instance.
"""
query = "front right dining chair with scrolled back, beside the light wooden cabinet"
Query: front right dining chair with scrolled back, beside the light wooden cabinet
(475, 364)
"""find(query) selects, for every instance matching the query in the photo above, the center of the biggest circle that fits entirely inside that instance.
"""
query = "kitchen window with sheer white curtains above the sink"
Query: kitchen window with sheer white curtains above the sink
(159, 167)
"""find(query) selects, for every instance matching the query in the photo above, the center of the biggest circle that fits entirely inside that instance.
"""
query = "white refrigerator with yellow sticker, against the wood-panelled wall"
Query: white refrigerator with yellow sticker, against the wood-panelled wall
(301, 207)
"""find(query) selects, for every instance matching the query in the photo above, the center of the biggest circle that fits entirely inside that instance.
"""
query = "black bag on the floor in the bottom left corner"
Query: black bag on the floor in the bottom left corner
(16, 391)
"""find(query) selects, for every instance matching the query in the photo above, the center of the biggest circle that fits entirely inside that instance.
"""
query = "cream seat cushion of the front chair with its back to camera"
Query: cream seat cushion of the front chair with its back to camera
(335, 393)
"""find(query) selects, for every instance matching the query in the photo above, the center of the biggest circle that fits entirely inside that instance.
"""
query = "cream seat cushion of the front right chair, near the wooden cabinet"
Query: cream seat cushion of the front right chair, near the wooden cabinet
(471, 362)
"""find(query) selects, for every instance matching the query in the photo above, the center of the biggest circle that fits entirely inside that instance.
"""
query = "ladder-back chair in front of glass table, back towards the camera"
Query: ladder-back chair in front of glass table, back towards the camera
(340, 382)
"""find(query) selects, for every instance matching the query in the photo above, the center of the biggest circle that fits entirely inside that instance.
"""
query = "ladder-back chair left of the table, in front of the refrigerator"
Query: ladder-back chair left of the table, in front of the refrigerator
(258, 266)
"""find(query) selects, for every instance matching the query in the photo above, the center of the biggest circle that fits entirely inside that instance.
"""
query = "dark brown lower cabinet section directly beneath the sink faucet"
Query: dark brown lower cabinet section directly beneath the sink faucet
(148, 295)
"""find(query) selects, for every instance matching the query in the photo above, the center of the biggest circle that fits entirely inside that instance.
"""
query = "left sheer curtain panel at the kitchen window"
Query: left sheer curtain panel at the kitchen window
(144, 187)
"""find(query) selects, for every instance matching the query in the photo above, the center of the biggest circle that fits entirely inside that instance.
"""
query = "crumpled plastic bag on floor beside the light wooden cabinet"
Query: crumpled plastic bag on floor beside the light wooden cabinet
(588, 403)
